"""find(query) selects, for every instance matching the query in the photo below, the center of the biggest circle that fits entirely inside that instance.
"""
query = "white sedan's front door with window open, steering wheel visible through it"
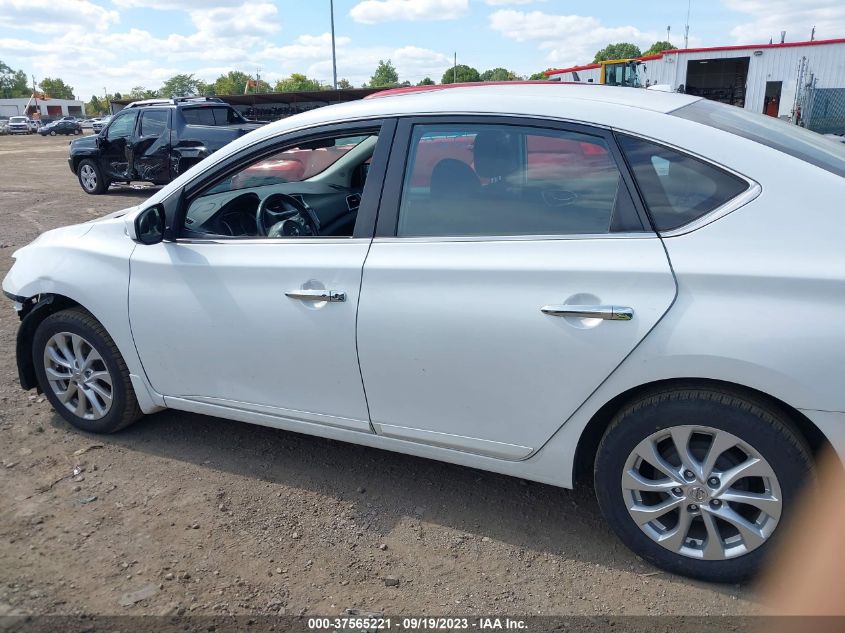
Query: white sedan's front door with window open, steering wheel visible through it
(236, 321)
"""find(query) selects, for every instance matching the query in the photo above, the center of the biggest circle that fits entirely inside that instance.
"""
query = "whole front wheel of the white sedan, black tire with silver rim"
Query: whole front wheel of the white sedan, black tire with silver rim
(74, 335)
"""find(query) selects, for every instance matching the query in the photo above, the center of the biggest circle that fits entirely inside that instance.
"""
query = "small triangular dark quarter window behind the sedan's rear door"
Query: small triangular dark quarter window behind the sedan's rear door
(677, 188)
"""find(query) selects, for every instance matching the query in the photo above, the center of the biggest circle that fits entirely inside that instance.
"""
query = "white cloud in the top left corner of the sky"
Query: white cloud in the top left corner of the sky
(49, 16)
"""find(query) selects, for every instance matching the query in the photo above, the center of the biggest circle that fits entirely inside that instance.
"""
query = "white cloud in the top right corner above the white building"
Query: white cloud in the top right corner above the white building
(770, 17)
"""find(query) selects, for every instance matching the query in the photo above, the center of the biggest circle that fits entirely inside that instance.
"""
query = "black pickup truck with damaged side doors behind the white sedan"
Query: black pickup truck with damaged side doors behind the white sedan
(154, 141)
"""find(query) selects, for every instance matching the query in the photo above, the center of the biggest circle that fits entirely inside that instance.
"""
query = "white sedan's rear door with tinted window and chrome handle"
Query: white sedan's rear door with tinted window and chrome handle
(511, 273)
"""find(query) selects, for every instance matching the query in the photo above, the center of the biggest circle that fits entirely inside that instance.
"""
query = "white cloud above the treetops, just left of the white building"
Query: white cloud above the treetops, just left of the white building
(569, 39)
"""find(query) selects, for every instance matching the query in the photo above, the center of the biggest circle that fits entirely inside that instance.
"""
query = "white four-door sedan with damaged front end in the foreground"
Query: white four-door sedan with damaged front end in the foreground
(561, 283)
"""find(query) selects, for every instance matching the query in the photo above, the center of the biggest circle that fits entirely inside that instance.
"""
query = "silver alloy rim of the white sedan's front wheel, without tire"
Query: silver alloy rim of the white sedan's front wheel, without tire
(78, 376)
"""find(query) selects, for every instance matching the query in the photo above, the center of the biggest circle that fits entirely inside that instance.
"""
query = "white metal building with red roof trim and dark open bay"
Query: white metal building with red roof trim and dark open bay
(788, 80)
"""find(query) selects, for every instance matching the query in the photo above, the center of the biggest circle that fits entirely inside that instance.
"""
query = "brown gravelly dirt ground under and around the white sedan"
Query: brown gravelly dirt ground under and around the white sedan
(203, 515)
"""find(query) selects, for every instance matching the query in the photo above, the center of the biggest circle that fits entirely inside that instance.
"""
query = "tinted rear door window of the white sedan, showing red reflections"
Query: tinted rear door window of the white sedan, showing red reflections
(464, 180)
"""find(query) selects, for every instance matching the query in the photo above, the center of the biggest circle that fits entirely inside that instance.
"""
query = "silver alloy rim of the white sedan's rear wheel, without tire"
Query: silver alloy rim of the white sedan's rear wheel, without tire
(701, 492)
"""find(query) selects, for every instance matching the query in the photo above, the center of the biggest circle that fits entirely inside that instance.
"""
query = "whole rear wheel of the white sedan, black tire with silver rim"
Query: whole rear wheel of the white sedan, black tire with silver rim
(707, 534)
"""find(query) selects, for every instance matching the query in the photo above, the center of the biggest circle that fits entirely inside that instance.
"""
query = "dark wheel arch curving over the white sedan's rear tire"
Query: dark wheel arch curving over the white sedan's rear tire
(588, 443)
